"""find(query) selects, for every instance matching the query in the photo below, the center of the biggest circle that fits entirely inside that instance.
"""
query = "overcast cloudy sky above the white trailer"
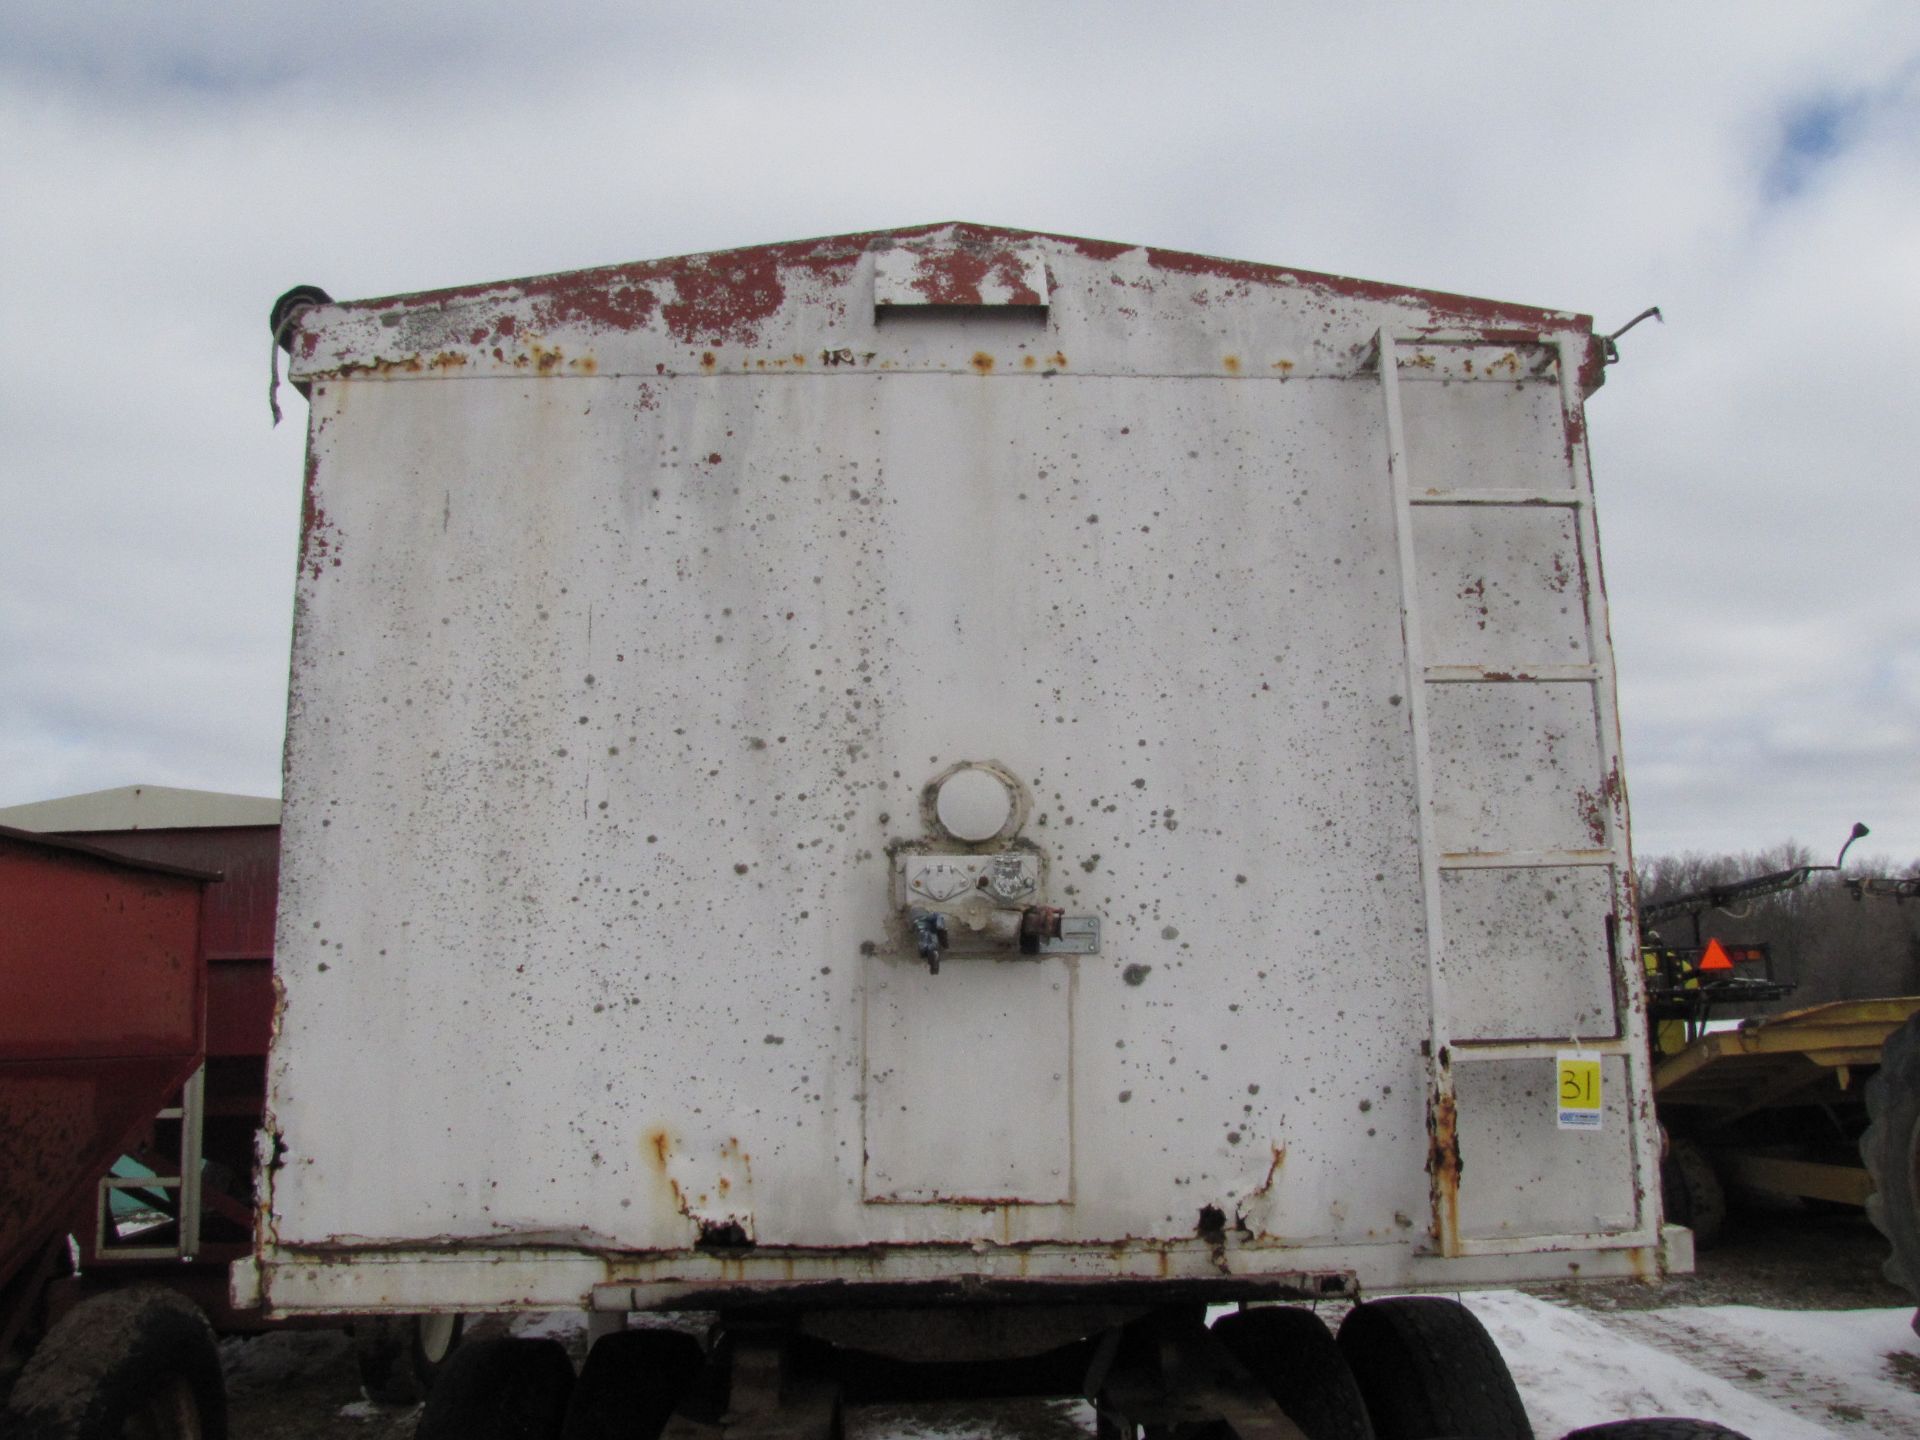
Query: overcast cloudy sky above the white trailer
(1754, 170)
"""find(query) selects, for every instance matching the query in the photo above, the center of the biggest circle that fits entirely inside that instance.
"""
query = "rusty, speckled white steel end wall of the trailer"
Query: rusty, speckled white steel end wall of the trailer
(640, 612)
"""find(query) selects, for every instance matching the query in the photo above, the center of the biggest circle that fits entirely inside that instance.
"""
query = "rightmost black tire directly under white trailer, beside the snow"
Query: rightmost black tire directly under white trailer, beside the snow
(1429, 1368)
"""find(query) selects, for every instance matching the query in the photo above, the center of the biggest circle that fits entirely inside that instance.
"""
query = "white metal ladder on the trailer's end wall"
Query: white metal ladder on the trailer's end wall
(1464, 677)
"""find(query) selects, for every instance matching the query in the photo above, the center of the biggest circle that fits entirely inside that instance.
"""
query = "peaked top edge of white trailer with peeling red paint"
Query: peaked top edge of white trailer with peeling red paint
(1138, 310)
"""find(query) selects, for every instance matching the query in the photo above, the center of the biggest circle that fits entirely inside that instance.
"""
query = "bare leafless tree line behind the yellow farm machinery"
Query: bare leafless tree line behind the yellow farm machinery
(1829, 944)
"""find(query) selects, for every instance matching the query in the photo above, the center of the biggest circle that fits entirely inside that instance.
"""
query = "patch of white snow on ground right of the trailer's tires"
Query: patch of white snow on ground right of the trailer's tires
(1771, 1374)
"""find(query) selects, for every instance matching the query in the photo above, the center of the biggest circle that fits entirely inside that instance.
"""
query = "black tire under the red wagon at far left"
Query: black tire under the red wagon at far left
(114, 1358)
